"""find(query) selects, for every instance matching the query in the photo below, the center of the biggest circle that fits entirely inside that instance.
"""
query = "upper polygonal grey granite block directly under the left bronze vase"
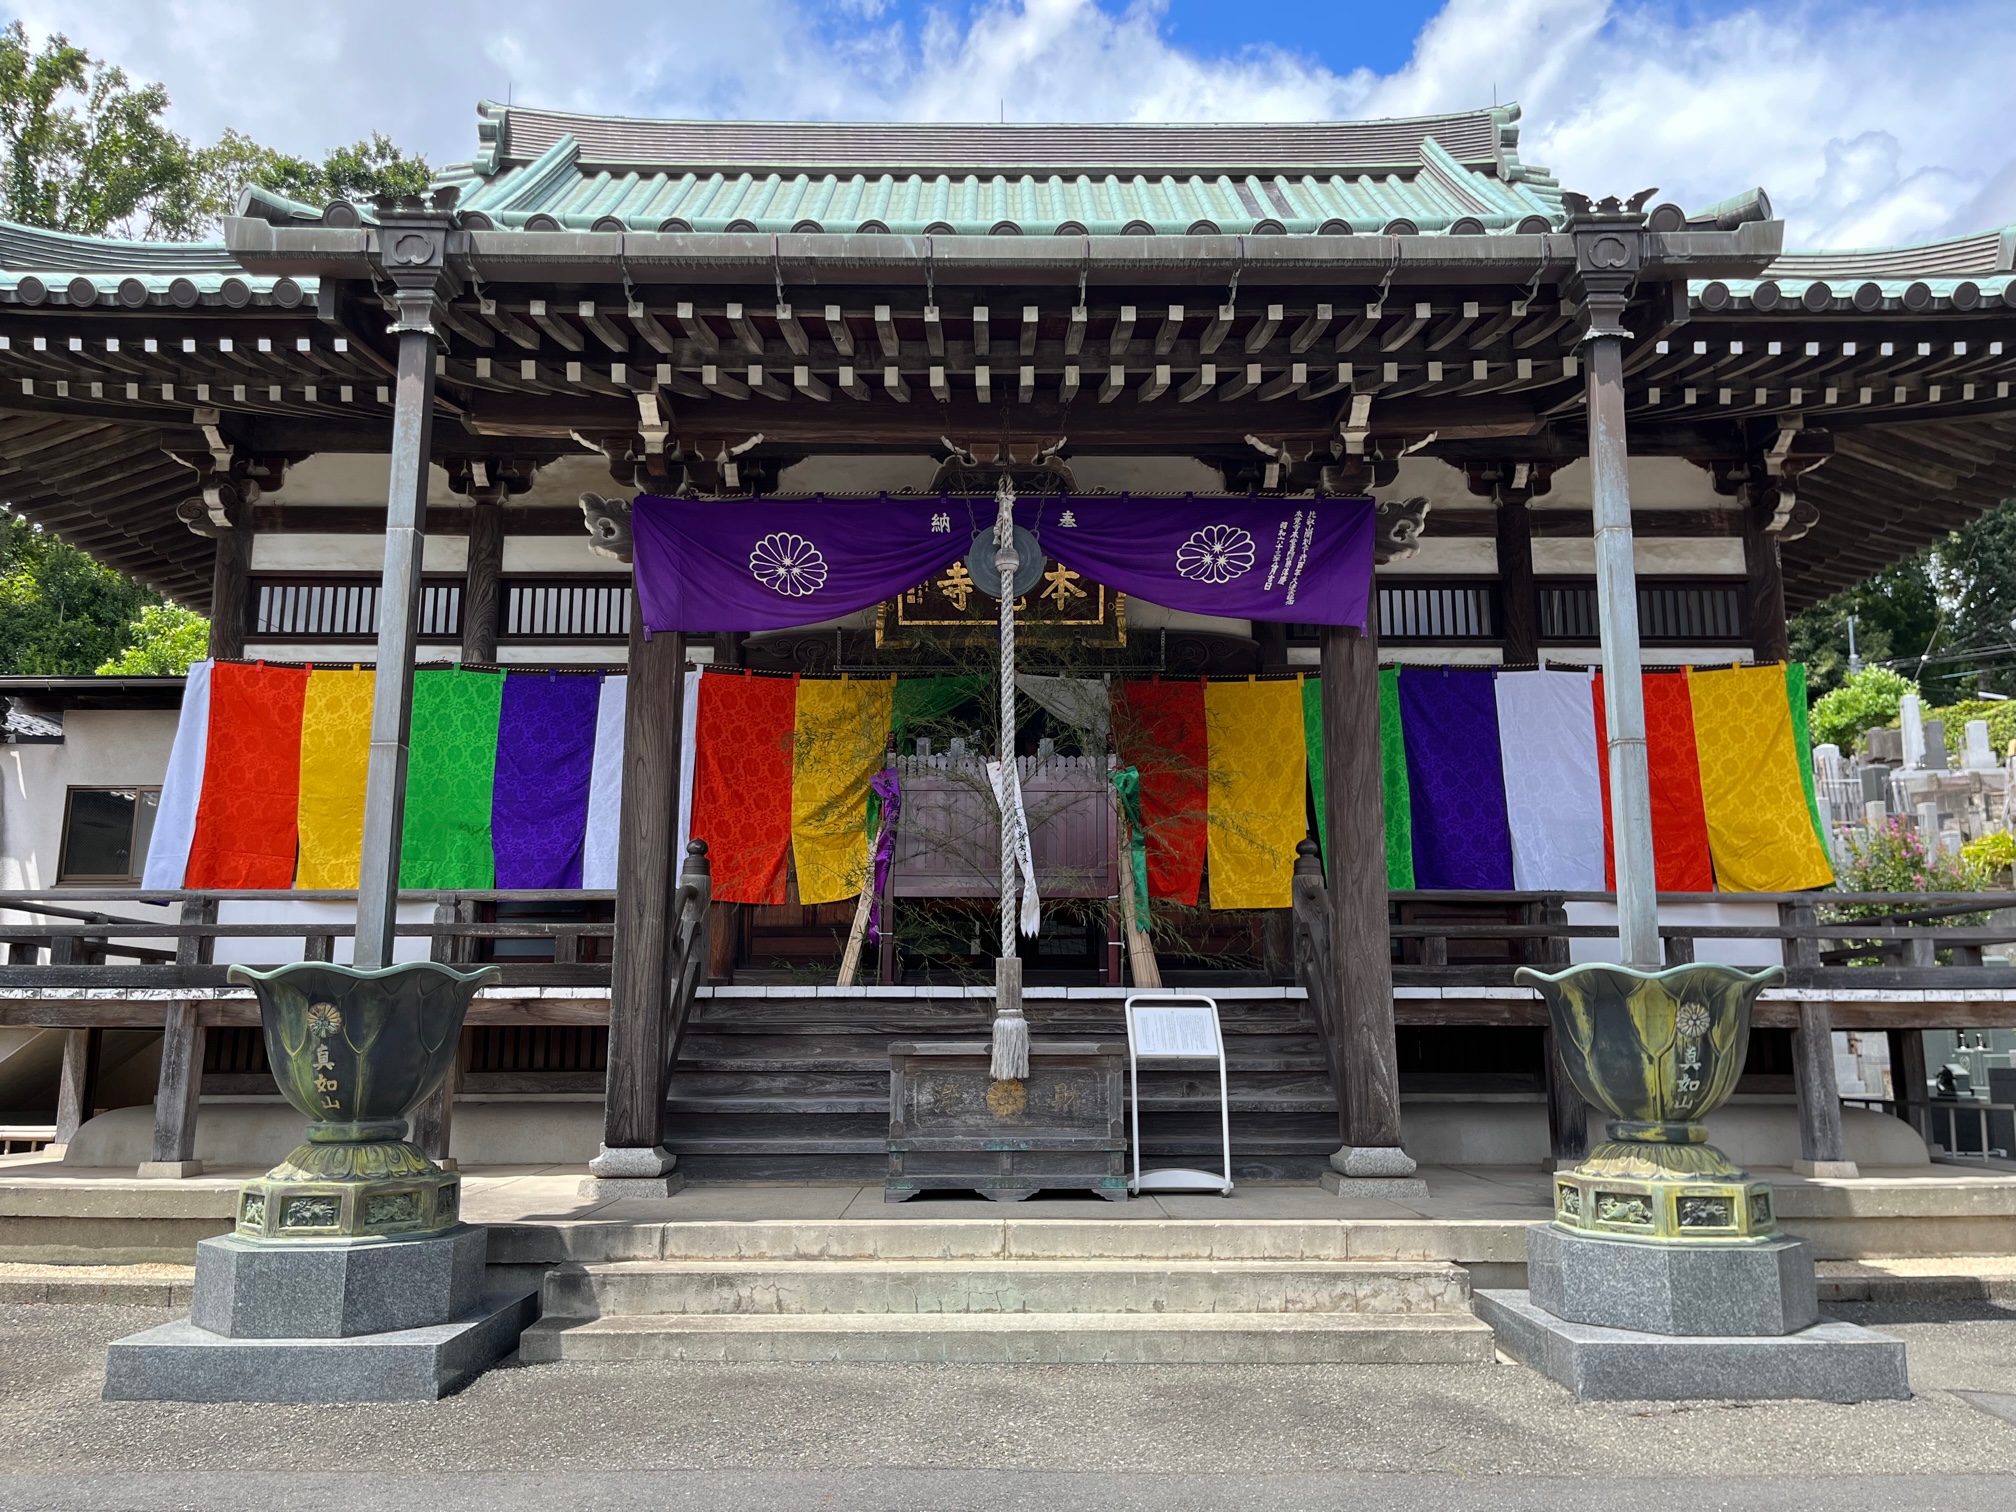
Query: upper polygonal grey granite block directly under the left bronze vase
(299, 1289)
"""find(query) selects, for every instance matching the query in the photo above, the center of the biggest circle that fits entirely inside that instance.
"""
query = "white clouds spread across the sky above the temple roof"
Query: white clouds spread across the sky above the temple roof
(1868, 124)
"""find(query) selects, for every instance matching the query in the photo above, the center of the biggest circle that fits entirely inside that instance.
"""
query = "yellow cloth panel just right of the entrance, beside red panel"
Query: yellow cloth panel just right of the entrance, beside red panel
(1259, 771)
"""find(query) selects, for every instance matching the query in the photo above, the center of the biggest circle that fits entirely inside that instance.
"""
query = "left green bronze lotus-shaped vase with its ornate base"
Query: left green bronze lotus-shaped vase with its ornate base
(356, 1053)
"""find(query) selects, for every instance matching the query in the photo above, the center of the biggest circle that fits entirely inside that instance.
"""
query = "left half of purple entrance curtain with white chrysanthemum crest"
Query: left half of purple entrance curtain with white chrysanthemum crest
(725, 565)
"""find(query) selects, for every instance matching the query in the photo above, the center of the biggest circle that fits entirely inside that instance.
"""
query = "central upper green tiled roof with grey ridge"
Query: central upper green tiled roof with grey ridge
(543, 170)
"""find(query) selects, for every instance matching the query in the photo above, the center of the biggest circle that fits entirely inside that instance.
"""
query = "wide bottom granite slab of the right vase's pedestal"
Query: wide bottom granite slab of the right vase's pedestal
(1830, 1362)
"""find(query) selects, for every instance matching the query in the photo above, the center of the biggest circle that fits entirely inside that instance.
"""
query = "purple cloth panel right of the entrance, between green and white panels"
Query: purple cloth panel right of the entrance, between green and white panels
(1457, 779)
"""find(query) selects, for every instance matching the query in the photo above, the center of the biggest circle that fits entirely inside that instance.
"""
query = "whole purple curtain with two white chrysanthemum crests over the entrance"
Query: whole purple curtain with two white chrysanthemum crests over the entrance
(711, 565)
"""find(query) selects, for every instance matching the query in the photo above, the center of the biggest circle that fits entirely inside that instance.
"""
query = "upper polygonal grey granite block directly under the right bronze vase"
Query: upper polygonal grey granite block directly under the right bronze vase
(1684, 1289)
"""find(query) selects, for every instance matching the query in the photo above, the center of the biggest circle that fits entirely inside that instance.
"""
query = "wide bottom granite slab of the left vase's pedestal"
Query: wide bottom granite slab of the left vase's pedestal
(180, 1362)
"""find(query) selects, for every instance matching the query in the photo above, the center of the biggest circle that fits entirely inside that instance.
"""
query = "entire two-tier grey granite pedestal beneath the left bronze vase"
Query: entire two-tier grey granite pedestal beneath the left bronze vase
(328, 1321)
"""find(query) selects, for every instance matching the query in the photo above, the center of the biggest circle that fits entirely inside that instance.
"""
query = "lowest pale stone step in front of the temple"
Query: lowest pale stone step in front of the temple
(1023, 1338)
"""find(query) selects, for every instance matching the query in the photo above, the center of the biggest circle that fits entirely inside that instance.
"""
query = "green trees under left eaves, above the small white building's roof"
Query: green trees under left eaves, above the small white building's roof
(61, 614)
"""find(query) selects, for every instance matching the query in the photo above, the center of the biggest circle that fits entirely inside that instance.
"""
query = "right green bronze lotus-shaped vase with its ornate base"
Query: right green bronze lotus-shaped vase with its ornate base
(1658, 1051)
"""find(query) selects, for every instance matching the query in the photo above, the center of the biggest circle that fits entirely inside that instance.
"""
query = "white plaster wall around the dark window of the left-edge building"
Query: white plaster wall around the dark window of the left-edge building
(100, 749)
